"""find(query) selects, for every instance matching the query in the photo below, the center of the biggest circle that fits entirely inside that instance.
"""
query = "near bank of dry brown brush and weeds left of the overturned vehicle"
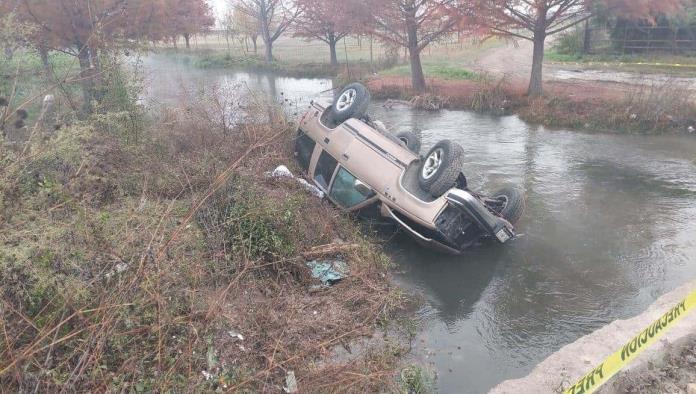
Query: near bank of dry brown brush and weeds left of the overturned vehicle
(144, 252)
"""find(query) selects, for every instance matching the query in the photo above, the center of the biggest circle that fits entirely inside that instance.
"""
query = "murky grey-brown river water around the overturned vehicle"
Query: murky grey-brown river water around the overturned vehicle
(609, 227)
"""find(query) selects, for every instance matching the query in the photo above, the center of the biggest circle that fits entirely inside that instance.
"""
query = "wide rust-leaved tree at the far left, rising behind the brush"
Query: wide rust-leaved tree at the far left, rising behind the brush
(85, 28)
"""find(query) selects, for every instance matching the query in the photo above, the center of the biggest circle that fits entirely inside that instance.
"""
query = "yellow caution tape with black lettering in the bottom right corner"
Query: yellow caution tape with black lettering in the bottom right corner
(613, 364)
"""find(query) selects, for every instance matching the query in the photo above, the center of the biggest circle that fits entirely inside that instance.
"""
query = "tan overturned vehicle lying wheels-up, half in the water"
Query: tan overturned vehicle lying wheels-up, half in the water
(365, 169)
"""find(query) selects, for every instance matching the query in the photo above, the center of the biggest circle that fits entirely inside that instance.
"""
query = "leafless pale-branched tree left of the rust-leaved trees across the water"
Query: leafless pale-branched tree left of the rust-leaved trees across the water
(274, 16)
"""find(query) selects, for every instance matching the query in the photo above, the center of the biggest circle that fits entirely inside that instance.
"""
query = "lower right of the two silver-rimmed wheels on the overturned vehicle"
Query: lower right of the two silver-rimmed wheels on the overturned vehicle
(441, 167)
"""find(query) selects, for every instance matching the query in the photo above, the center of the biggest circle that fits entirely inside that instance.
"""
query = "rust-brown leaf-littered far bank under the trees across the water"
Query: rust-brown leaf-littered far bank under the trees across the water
(581, 106)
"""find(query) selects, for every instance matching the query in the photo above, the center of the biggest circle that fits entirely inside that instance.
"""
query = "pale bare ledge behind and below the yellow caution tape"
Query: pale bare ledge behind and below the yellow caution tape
(670, 361)
